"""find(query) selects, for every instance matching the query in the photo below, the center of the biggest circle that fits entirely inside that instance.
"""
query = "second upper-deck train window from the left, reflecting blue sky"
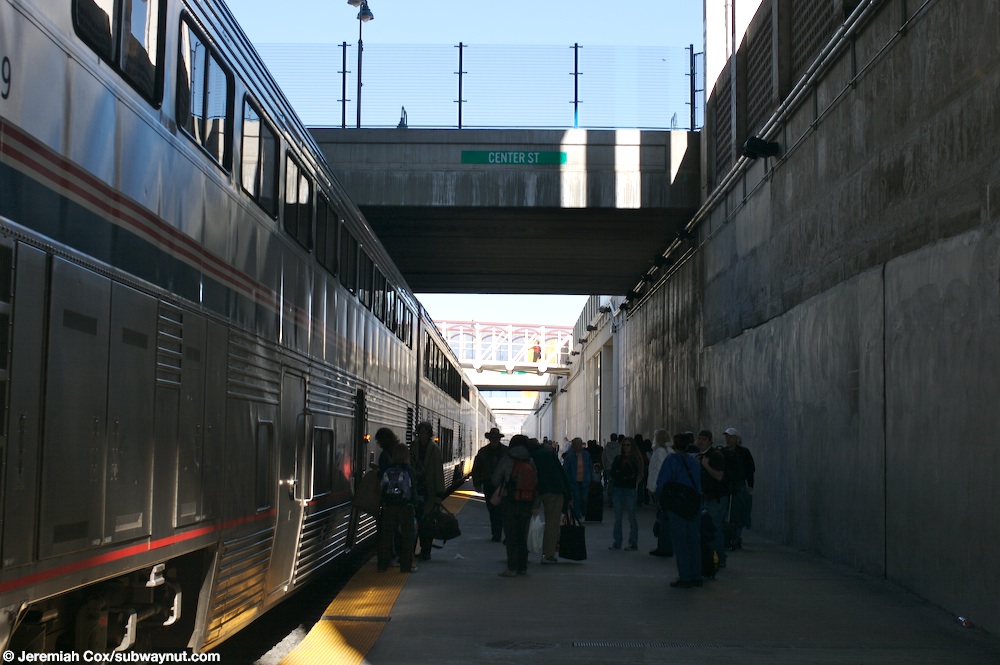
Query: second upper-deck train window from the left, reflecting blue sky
(204, 96)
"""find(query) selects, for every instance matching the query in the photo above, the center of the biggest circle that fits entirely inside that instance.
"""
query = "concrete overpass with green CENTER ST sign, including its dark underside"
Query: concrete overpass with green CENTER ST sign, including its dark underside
(520, 211)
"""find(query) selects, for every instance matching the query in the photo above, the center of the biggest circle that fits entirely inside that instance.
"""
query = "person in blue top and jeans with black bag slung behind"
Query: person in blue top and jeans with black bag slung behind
(685, 533)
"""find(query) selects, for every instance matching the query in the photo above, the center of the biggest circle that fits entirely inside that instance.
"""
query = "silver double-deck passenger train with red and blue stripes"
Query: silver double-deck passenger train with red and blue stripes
(198, 332)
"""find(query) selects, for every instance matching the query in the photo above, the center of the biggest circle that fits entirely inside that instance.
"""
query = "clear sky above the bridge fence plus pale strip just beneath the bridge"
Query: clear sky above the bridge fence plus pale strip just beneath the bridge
(503, 22)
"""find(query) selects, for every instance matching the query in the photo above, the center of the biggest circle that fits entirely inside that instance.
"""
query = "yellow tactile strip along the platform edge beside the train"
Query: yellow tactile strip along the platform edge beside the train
(369, 597)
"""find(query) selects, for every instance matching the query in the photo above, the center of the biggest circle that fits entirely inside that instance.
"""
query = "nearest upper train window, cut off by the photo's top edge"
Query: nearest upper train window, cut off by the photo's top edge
(129, 36)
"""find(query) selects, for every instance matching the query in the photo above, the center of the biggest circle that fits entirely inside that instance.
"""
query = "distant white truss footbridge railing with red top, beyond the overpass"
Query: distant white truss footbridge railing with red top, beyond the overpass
(510, 347)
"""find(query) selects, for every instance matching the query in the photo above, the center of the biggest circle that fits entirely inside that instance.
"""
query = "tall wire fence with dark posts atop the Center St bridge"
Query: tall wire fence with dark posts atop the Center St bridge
(493, 86)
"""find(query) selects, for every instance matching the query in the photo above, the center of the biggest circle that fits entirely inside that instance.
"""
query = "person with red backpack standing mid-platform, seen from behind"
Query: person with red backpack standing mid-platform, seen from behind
(517, 478)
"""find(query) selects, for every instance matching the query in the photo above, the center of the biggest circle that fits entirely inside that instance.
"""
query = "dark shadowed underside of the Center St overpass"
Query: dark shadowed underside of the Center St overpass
(523, 250)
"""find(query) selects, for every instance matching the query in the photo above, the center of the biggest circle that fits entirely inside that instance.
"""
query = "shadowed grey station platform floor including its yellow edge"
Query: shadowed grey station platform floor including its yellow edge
(770, 605)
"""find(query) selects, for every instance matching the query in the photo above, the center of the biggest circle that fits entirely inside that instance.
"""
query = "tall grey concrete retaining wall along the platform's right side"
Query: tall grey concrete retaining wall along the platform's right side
(843, 311)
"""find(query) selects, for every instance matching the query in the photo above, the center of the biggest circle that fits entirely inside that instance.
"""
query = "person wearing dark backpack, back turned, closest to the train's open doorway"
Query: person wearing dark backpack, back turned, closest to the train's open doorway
(397, 511)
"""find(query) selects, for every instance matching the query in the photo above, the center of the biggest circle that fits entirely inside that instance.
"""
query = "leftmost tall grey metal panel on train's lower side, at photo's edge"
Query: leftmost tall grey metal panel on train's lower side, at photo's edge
(22, 429)
